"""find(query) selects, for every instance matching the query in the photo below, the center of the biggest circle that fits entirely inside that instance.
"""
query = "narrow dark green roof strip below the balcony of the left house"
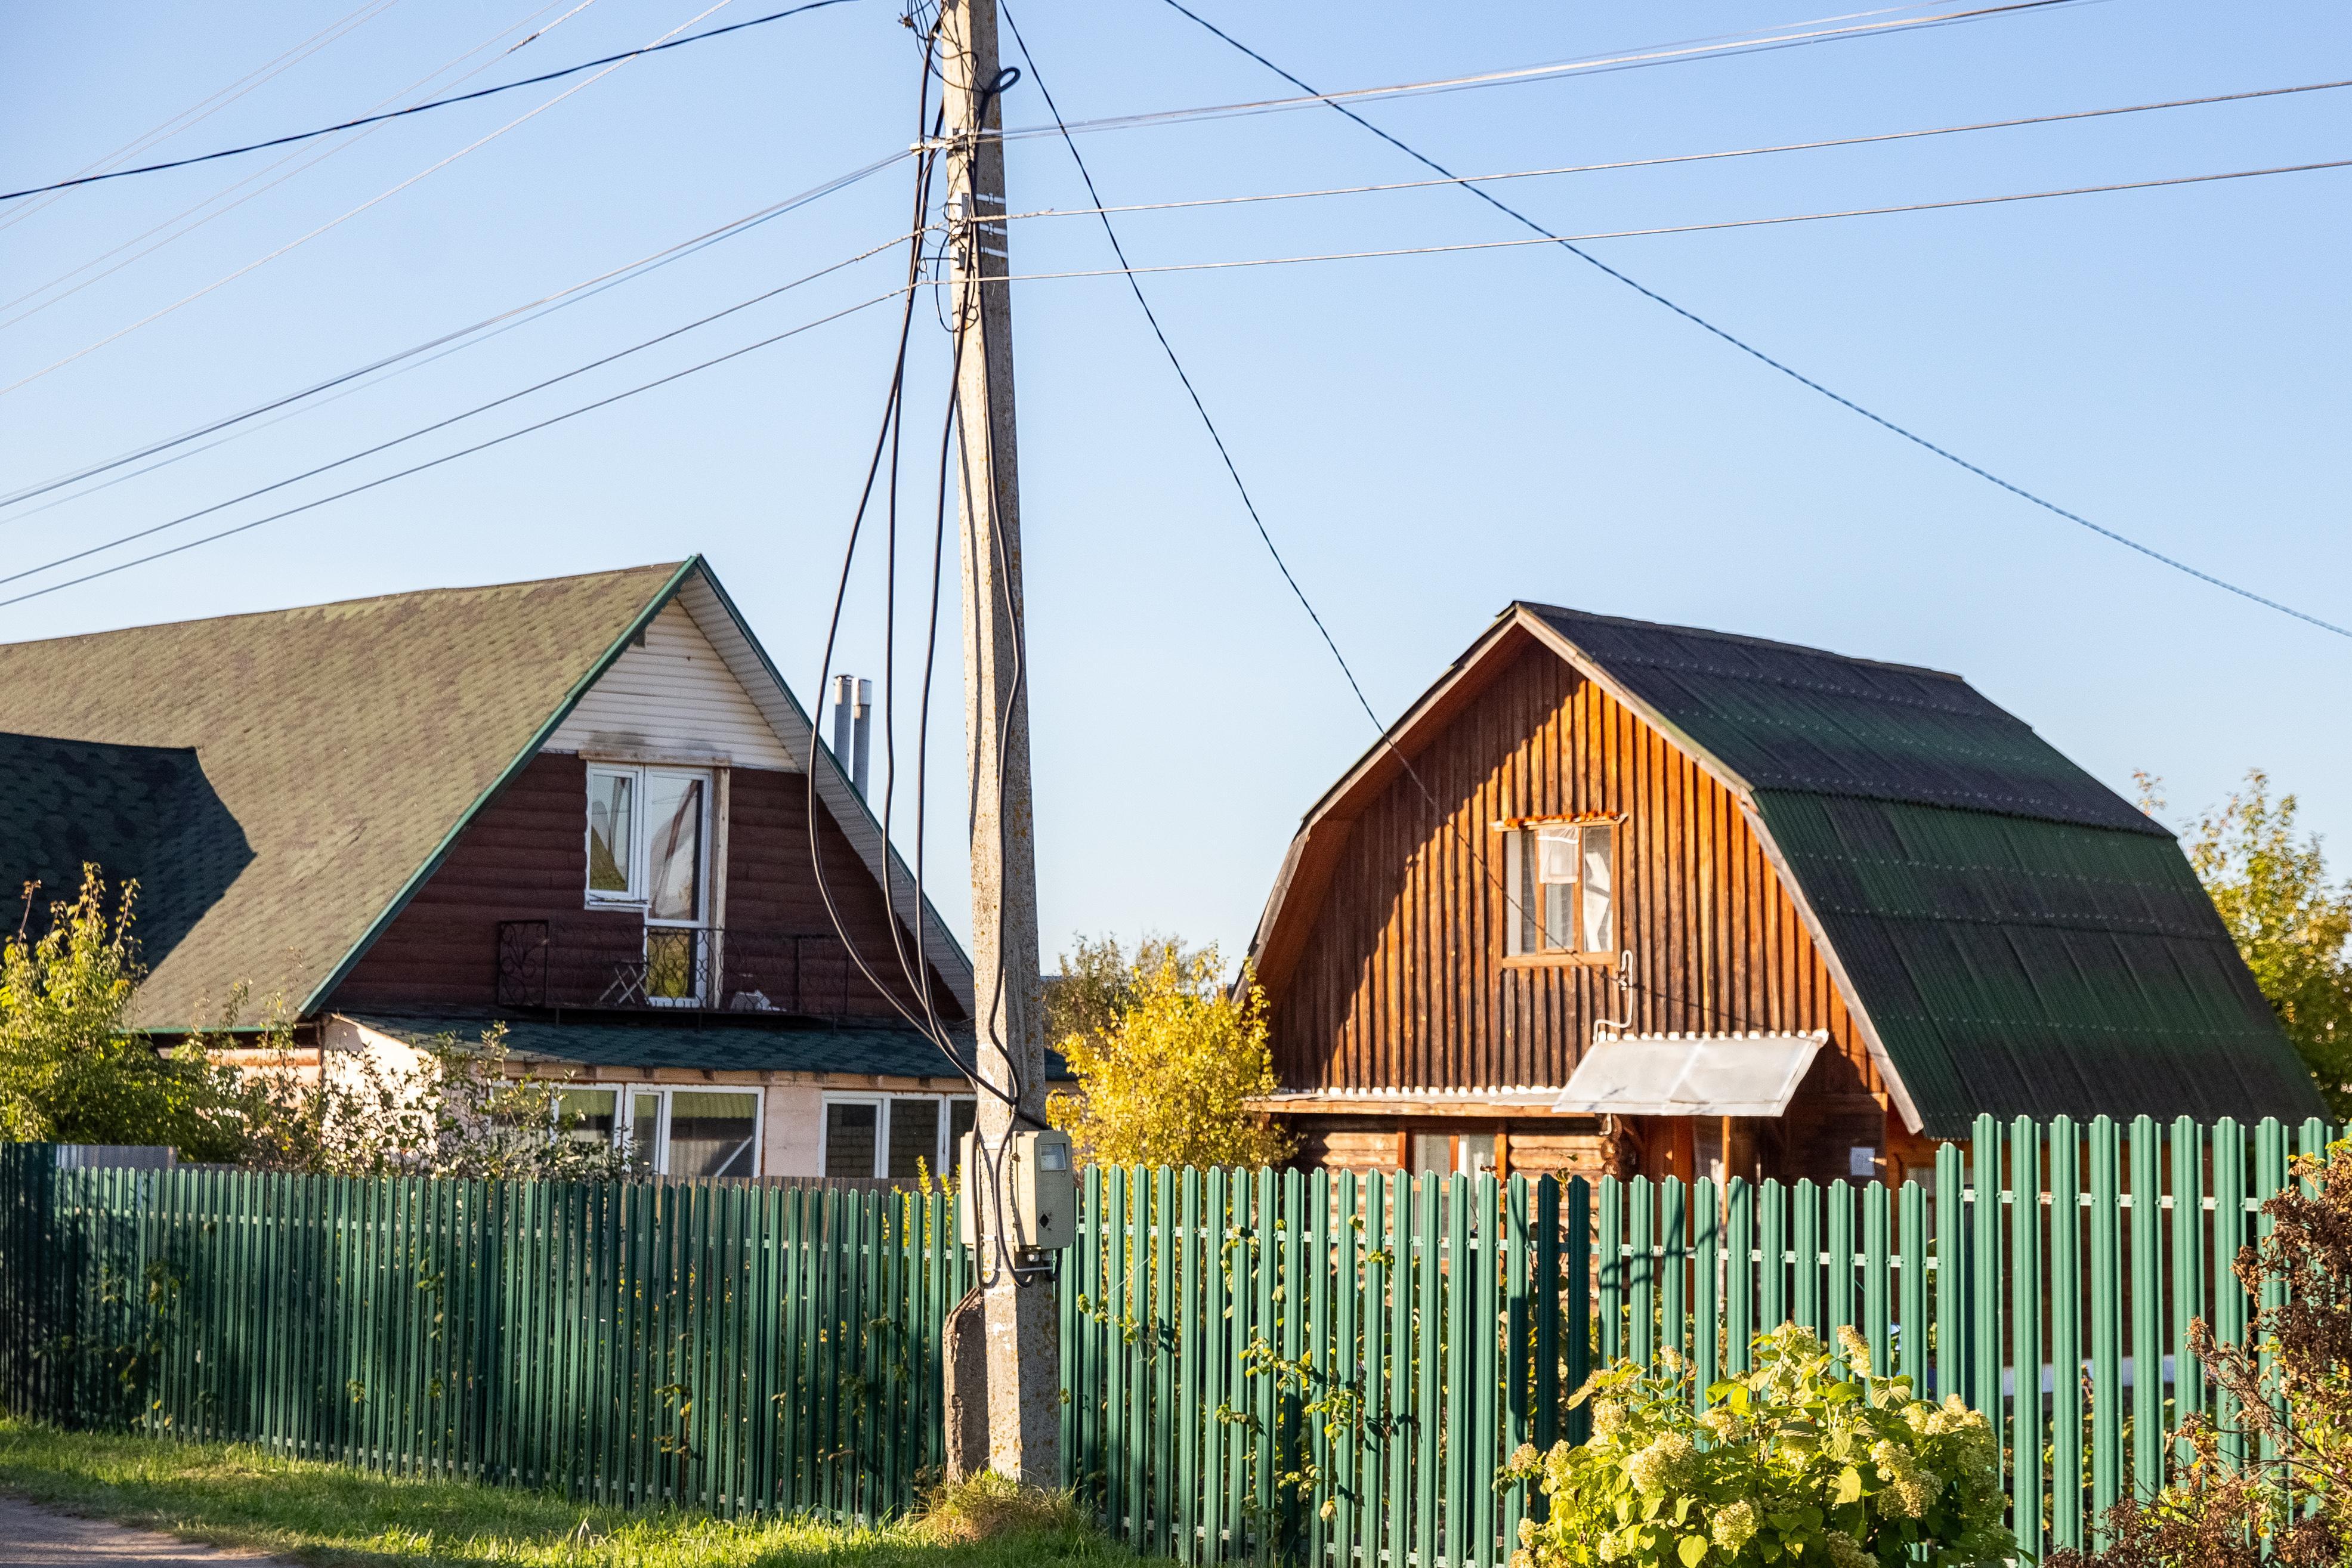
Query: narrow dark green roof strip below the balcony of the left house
(721, 1045)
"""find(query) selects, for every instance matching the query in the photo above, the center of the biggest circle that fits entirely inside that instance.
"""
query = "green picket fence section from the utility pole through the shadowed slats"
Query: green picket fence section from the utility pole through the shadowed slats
(1318, 1367)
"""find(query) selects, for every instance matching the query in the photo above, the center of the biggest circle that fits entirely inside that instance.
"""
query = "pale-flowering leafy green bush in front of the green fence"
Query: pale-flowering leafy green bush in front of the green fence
(1805, 1461)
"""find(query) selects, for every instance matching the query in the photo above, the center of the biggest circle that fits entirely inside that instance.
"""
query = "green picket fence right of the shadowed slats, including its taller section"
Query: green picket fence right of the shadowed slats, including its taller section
(2047, 1275)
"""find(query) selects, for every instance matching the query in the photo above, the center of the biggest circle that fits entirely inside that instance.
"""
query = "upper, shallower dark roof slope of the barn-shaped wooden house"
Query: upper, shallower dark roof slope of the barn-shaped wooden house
(1789, 718)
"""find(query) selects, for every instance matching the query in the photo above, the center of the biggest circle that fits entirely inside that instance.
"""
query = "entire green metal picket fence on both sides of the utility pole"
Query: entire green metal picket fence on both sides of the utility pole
(1278, 1367)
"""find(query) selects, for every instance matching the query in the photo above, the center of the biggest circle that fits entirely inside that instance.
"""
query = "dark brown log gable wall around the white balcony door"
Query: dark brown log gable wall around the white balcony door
(526, 857)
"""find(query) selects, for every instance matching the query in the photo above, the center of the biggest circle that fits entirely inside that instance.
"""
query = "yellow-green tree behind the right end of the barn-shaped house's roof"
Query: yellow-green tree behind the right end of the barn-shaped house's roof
(2290, 923)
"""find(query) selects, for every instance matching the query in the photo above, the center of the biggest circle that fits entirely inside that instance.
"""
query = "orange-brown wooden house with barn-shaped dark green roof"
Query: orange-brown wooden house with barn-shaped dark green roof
(1626, 897)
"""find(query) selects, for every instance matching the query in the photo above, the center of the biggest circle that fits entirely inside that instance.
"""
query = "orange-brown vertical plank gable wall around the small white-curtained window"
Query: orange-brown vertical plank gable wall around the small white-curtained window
(1401, 981)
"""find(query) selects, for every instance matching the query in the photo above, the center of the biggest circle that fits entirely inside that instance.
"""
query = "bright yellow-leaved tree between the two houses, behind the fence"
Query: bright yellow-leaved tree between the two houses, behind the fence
(1168, 1061)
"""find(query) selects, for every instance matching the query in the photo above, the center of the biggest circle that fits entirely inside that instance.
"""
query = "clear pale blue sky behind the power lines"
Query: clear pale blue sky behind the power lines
(1429, 438)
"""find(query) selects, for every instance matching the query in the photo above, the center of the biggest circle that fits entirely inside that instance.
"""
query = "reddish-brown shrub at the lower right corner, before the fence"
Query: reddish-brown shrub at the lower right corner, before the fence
(2283, 1492)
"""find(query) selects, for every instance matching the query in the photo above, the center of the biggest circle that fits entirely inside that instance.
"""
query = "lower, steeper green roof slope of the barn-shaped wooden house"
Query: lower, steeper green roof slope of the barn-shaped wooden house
(2031, 967)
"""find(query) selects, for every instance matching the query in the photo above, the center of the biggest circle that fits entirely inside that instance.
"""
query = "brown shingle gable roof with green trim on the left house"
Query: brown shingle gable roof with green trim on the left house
(288, 782)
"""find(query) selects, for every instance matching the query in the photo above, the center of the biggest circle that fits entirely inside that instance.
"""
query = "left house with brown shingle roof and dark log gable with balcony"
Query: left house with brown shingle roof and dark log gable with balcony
(577, 808)
